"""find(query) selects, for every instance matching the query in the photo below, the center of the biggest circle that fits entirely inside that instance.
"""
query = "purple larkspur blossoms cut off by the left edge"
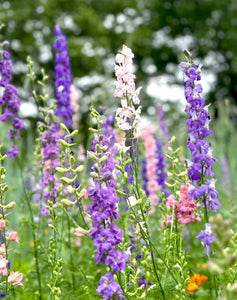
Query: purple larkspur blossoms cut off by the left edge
(10, 101)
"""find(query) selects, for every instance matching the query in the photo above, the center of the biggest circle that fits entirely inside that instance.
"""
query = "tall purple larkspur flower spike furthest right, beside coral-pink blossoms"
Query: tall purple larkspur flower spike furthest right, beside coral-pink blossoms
(200, 167)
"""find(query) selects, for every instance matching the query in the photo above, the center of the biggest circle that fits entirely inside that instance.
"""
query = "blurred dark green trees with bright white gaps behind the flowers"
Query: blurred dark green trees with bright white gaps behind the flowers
(157, 32)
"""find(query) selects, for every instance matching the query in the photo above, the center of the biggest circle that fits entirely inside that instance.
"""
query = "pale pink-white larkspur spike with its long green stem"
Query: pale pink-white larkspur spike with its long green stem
(128, 119)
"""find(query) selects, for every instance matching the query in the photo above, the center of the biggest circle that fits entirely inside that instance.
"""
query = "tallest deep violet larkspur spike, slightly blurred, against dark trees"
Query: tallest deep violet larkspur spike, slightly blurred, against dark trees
(62, 78)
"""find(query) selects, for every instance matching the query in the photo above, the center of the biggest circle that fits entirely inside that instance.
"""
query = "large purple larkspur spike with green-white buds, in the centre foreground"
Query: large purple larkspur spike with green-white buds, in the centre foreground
(104, 211)
